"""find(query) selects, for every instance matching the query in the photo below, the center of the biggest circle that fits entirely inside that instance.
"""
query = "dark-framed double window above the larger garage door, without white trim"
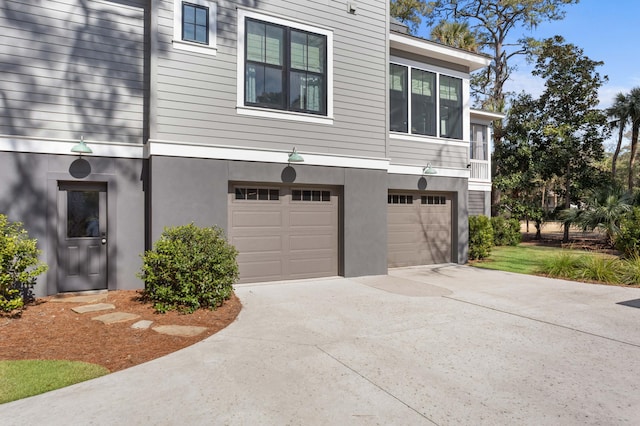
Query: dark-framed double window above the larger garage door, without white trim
(285, 68)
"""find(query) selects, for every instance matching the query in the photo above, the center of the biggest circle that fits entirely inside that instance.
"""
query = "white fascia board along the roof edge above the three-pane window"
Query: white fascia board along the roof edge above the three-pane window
(434, 50)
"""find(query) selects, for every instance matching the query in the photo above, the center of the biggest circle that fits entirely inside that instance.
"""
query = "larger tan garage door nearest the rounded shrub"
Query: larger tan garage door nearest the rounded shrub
(284, 233)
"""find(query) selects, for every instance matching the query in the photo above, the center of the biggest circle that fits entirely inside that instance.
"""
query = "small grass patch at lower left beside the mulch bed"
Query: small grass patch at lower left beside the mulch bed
(20, 379)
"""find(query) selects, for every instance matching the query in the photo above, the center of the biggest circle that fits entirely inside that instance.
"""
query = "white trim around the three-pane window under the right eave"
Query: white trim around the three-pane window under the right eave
(466, 126)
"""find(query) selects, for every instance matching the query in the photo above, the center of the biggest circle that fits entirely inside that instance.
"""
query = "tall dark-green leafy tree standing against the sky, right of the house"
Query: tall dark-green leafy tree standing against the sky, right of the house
(572, 130)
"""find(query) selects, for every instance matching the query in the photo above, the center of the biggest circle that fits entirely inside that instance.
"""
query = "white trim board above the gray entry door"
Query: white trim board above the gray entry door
(63, 147)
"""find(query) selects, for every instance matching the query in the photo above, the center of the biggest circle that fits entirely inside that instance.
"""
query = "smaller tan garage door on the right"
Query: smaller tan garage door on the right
(419, 229)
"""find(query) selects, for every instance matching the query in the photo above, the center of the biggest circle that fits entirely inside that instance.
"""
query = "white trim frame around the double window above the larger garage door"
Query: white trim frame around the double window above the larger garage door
(242, 109)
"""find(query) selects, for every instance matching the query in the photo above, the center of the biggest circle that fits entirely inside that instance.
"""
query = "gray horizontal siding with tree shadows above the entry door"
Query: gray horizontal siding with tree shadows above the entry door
(72, 67)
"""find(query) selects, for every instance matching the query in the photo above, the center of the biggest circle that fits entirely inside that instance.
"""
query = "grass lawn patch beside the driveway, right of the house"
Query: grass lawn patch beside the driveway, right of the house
(521, 259)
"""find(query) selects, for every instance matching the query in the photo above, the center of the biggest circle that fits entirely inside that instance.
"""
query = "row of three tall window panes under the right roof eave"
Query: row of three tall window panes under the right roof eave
(418, 97)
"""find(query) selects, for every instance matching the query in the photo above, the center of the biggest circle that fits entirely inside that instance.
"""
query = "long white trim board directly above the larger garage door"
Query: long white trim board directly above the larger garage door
(221, 152)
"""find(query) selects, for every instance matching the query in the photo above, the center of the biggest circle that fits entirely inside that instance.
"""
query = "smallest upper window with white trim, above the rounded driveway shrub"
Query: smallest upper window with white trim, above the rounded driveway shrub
(194, 26)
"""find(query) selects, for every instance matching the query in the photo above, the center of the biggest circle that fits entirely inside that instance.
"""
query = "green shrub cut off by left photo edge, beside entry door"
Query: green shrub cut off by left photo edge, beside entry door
(19, 266)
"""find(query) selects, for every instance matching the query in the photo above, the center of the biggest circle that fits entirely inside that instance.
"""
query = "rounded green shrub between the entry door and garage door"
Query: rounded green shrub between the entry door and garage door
(189, 268)
